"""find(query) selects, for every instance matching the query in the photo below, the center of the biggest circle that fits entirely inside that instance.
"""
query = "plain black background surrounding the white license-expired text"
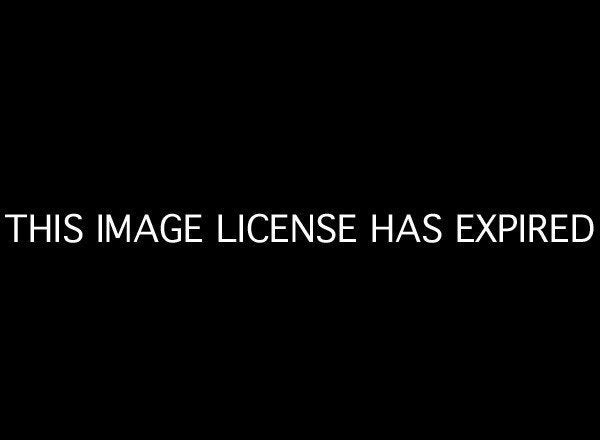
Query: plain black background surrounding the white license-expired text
(368, 113)
